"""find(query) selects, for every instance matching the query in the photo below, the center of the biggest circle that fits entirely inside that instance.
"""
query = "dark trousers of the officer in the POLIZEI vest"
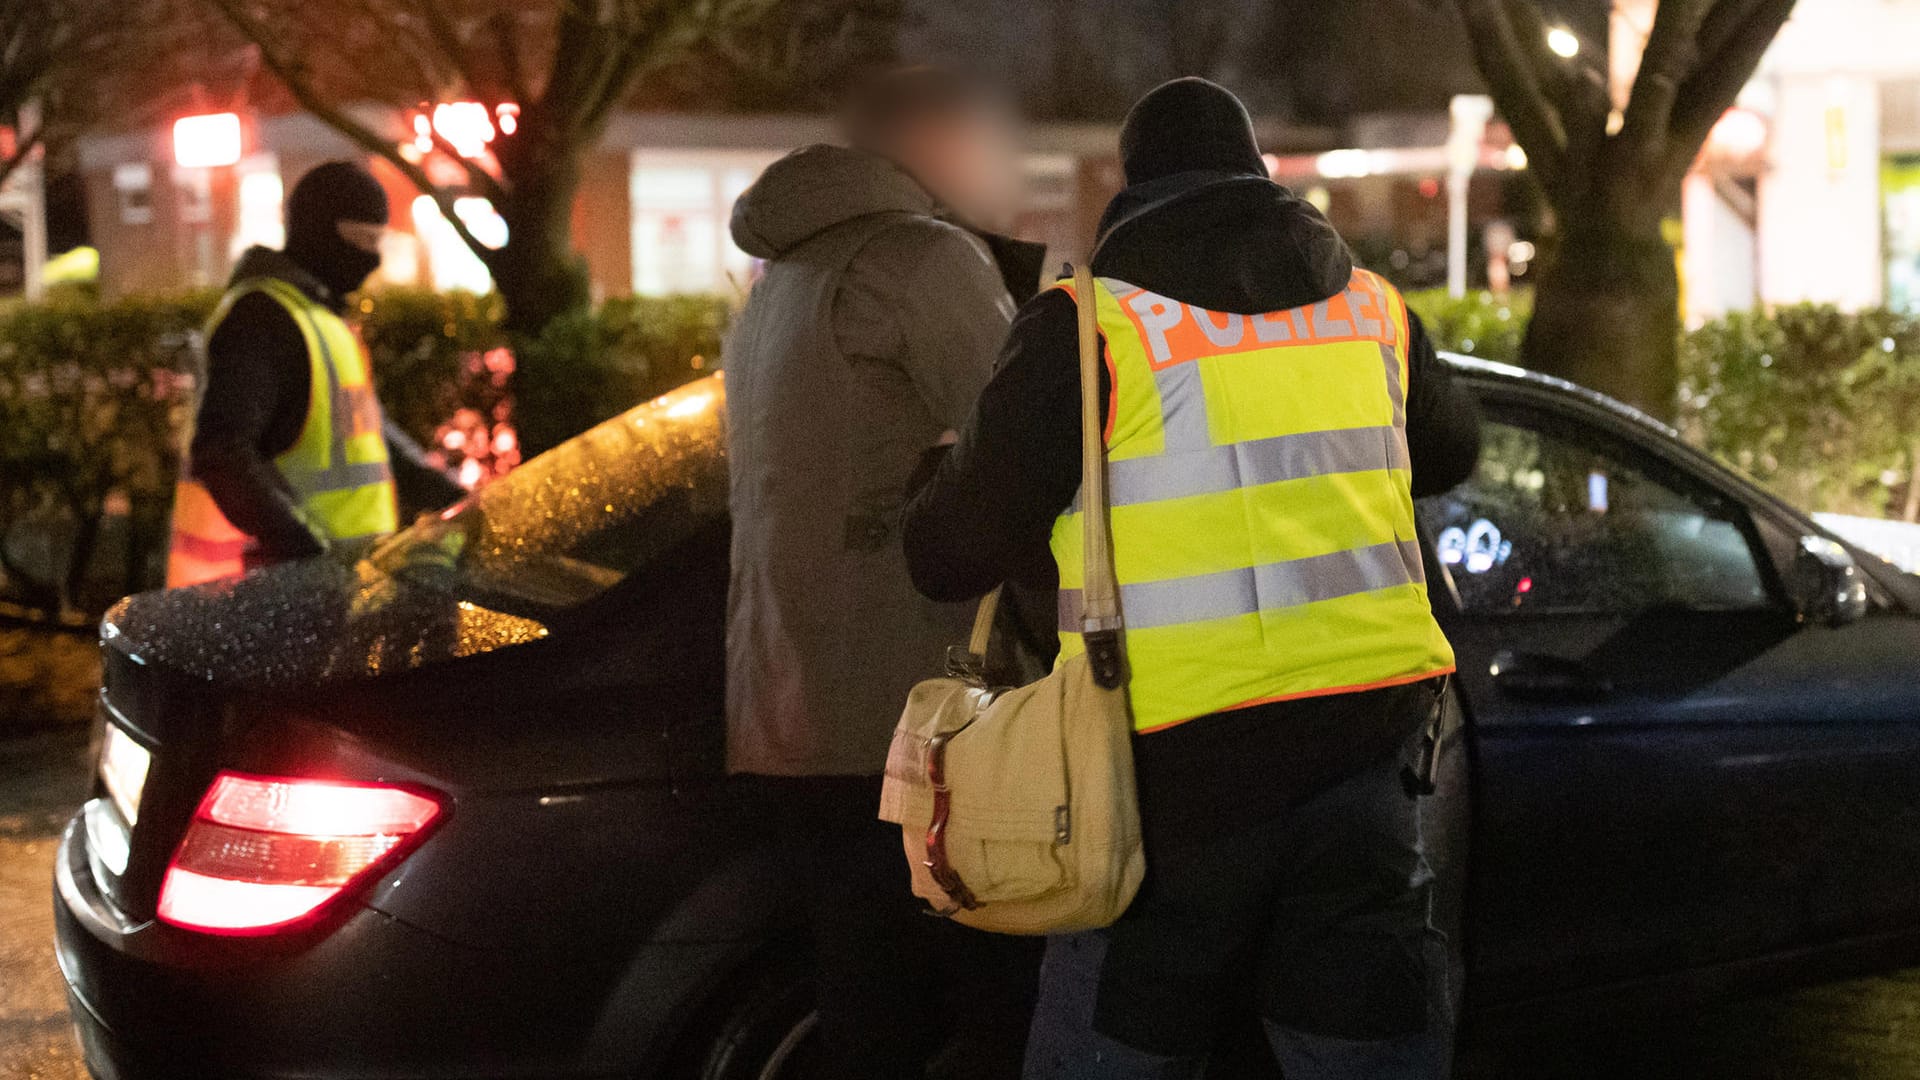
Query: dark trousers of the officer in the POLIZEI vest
(1316, 920)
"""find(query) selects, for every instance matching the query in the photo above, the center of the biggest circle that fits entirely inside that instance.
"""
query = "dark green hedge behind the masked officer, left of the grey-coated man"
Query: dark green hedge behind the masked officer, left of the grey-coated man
(97, 399)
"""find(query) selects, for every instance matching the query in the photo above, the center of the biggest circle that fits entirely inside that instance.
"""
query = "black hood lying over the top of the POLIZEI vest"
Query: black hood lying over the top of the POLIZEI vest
(1224, 243)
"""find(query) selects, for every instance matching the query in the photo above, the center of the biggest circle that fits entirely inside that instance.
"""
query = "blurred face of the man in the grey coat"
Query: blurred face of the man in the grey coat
(972, 164)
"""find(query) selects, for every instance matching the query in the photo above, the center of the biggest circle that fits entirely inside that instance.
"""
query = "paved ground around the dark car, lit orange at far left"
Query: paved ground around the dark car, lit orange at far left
(1858, 1031)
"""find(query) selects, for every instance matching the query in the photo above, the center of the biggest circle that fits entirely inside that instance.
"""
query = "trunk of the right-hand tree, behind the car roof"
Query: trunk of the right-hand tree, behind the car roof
(1608, 312)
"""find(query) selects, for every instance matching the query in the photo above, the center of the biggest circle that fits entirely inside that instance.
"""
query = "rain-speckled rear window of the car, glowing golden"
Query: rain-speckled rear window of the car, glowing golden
(581, 518)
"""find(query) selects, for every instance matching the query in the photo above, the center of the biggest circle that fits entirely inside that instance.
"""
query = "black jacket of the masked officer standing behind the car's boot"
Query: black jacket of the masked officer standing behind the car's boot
(254, 406)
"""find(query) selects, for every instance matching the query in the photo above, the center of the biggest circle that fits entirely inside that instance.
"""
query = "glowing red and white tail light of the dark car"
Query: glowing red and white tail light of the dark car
(270, 852)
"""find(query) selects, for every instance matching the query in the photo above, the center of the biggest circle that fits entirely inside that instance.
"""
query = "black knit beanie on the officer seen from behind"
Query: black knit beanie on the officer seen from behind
(1188, 126)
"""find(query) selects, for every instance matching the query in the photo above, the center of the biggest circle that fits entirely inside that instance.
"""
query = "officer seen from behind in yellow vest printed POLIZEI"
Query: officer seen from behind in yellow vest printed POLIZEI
(1272, 412)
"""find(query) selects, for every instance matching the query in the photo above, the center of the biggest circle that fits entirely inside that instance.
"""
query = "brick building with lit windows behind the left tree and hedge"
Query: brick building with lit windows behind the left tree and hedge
(652, 214)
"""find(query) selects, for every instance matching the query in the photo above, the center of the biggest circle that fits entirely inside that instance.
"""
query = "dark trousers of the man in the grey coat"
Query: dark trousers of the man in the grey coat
(901, 994)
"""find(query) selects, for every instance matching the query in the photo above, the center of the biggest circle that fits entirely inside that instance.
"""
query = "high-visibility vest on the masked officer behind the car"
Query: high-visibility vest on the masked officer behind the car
(337, 470)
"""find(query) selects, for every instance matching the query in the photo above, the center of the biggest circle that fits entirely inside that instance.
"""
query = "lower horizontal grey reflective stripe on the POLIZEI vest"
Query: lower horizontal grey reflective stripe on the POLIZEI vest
(1259, 589)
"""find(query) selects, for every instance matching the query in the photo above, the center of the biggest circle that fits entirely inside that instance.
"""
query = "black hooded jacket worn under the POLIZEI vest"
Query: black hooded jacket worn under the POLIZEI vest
(1226, 243)
